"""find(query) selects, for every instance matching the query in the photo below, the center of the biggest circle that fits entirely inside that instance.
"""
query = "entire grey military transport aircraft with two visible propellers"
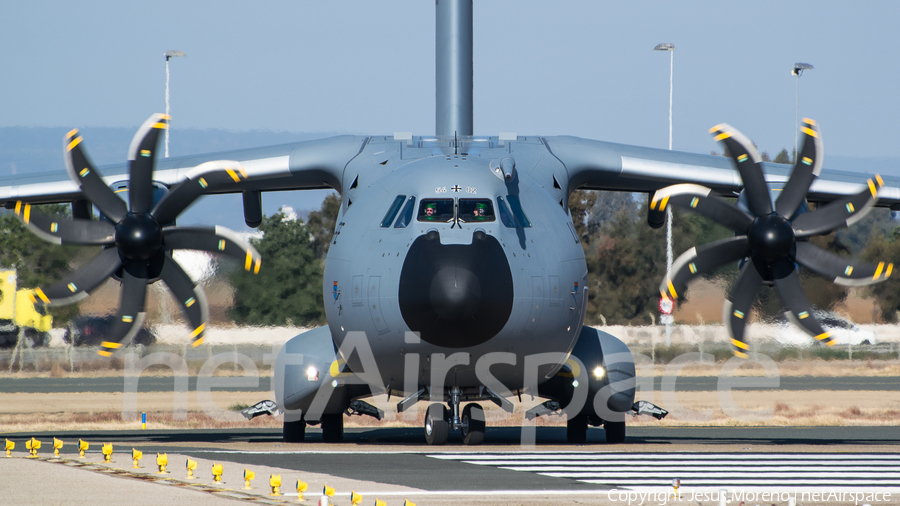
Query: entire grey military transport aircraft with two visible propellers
(455, 274)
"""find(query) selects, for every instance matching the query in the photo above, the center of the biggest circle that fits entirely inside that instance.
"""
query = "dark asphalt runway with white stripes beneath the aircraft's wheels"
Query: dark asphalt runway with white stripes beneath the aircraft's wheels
(652, 457)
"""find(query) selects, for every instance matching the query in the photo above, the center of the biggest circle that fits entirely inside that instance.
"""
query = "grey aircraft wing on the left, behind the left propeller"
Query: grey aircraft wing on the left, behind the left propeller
(298, 166)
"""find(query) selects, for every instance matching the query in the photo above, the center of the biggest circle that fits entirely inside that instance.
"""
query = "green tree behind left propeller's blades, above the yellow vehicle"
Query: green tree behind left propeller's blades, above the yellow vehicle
(38, 262)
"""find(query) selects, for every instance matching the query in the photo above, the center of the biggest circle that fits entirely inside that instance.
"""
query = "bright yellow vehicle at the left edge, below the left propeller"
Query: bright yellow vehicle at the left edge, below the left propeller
(17, 312)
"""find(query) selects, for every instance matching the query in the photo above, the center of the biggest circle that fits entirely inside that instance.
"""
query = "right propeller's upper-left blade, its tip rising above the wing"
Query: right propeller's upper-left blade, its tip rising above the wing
(747, 161)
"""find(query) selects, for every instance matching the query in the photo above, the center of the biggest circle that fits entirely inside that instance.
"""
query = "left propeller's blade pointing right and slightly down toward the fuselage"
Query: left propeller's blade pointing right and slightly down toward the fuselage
(215, 240)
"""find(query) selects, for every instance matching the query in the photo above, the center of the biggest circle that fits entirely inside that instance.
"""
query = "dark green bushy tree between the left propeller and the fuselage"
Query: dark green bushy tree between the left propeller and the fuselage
(288, 288)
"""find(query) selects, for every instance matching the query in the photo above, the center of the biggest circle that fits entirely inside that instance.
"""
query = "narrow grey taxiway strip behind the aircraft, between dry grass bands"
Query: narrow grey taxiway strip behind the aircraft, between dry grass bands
(682, 384)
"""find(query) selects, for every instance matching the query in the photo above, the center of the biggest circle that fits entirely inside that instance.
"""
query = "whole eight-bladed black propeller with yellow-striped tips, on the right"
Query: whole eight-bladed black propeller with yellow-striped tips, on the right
(773, 239)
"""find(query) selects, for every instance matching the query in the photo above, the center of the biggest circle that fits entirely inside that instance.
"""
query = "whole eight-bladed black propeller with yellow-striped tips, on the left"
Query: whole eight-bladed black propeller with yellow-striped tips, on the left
(139, 238)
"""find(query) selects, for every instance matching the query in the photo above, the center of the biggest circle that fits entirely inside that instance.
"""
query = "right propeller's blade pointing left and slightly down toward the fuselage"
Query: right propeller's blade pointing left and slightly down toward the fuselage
(697, 261)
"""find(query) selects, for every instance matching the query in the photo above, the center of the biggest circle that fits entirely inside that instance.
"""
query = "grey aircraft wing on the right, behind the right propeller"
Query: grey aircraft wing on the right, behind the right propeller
(598, 165)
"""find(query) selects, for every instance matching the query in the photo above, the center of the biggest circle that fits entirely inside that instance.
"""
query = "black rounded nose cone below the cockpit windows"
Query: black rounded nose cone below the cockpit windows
(456, 295)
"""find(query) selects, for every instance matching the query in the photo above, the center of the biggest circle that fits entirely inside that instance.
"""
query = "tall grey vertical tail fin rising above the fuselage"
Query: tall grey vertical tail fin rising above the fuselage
(453, 67)
